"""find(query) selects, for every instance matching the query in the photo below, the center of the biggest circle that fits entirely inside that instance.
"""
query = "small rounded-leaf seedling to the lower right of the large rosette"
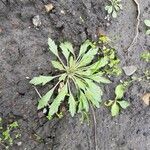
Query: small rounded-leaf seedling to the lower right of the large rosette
(119, 101)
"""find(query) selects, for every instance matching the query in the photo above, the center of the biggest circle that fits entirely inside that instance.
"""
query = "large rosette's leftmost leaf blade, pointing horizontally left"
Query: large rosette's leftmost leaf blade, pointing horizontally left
(41, 80)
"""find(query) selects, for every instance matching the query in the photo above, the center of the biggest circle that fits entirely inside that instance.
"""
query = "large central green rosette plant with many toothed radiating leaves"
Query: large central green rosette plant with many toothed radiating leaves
(78, 81)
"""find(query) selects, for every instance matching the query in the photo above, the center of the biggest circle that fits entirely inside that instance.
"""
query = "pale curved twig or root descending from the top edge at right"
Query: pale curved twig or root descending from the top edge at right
(137, 26)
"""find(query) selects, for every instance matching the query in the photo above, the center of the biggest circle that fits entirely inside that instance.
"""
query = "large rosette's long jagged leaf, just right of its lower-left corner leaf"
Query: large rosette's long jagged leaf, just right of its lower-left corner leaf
(57, 101)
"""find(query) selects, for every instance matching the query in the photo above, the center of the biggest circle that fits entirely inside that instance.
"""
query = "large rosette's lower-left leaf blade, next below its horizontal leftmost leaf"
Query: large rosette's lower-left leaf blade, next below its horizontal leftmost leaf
(45, 99)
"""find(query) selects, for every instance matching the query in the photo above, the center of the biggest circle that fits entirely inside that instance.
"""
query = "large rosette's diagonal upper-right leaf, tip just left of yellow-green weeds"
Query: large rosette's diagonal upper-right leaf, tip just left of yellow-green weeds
(88, 57)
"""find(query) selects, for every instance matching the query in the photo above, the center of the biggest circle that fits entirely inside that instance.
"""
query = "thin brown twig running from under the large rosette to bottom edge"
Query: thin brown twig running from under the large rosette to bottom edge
(95, 127)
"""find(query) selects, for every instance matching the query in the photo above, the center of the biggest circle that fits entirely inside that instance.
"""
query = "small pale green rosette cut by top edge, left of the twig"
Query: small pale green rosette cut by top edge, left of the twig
(114, 7)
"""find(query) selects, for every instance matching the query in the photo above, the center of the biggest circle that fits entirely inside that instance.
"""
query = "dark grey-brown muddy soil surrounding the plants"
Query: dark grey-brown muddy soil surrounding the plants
(24, 53)
